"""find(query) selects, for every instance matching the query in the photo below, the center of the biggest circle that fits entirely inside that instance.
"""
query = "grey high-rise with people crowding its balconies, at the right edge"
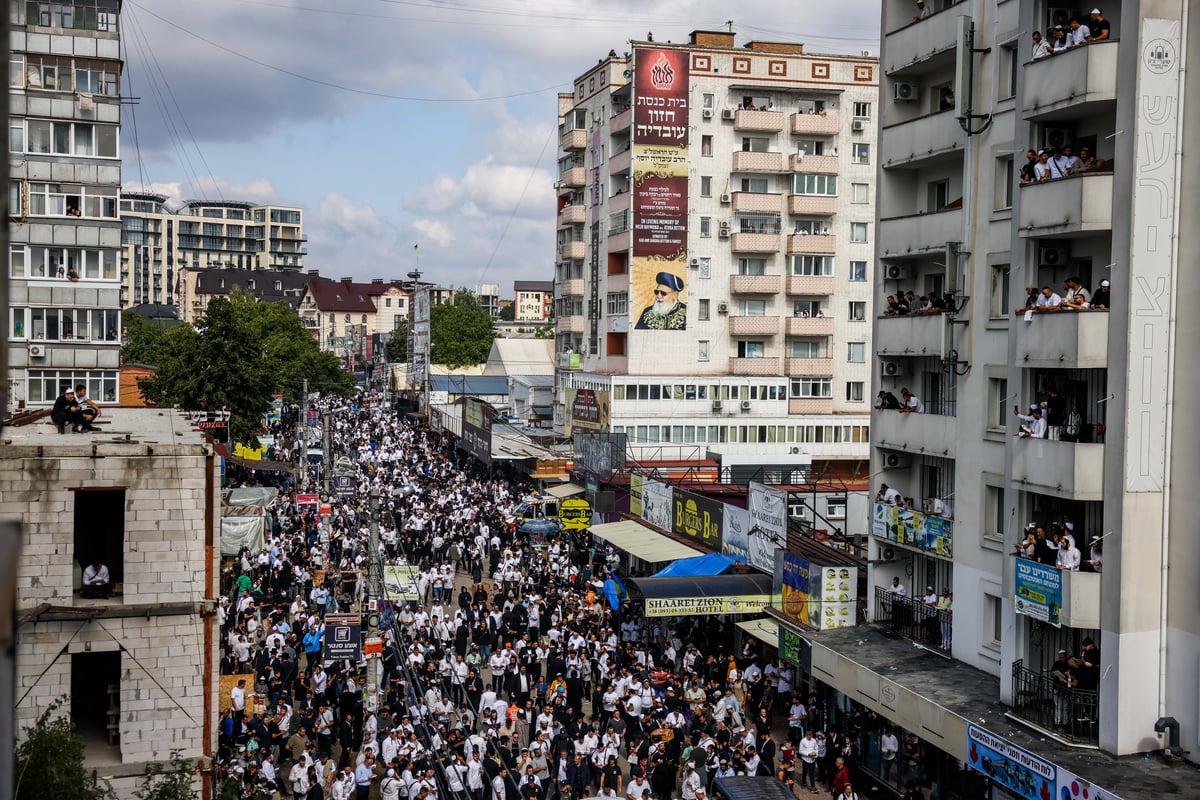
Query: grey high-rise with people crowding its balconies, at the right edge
(1060, 419)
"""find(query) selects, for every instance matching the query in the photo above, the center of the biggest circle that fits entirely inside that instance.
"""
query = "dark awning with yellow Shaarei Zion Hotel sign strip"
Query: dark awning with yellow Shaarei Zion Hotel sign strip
(718, 594)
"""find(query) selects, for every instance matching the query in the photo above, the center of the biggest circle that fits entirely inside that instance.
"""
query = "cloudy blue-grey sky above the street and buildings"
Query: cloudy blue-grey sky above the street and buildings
(397, 123)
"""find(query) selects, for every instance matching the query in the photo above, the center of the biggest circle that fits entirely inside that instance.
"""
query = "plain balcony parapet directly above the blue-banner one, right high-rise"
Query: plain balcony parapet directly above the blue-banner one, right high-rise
(1064, 470)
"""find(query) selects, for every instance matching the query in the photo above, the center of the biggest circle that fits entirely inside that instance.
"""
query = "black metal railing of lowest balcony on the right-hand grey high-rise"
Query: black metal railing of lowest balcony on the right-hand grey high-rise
(1045, 701)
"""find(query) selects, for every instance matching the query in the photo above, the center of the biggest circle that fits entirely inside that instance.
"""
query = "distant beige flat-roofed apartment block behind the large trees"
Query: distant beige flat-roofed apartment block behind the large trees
(159, 240)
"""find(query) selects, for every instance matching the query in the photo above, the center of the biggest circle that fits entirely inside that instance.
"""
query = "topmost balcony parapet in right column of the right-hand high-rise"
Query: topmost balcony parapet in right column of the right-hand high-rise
(1070, 82)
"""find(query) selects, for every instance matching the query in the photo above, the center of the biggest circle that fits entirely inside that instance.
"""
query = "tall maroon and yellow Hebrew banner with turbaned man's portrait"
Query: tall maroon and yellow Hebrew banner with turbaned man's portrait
(661, 190)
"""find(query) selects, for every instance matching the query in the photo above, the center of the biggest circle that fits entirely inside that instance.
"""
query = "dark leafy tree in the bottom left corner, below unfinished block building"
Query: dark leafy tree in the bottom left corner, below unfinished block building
(50, 761)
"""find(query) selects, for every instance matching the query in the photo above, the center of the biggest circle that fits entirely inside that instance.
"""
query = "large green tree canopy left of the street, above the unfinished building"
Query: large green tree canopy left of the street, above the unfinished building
(238, 357)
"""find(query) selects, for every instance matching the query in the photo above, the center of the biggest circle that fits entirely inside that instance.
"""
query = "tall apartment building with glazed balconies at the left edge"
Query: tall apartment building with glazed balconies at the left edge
(64, 130)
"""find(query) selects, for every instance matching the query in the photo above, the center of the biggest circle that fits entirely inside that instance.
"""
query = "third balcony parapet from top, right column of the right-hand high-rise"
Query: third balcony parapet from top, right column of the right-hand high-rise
(1065, 340)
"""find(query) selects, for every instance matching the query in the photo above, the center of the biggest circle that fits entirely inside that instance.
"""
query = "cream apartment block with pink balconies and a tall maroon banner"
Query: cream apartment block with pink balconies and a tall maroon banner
(716, 215)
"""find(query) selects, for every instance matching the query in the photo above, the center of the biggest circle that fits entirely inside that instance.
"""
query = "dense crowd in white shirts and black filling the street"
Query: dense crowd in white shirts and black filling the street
(508, 676)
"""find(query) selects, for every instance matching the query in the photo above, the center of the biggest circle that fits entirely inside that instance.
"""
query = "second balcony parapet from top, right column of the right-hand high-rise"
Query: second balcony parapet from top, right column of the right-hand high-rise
(1075, 206)
